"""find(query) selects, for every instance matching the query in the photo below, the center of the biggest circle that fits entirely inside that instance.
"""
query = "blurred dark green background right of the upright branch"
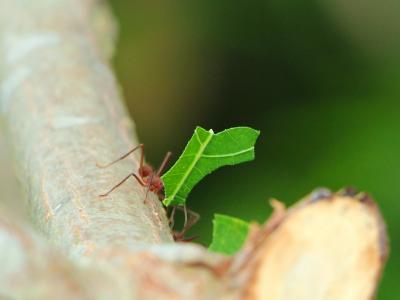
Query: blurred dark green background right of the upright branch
(320, 79)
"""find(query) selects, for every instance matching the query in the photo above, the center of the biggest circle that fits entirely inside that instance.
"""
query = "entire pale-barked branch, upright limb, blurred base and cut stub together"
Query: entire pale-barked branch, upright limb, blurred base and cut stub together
(63, 112)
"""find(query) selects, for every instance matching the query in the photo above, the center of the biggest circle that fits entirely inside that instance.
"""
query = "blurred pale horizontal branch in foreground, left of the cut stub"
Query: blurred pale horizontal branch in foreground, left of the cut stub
(31, 269)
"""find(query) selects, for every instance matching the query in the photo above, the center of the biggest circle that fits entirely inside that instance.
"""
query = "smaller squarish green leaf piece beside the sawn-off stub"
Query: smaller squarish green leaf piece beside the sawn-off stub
(229, 234)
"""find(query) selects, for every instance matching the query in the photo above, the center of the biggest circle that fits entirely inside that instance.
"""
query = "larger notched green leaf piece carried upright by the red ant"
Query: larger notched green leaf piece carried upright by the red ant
(205, 153)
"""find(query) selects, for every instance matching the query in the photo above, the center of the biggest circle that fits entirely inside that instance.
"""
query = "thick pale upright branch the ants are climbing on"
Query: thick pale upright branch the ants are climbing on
(60, 90)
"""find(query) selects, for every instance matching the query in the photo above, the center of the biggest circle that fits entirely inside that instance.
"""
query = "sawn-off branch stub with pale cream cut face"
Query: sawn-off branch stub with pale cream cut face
(328, 246)
